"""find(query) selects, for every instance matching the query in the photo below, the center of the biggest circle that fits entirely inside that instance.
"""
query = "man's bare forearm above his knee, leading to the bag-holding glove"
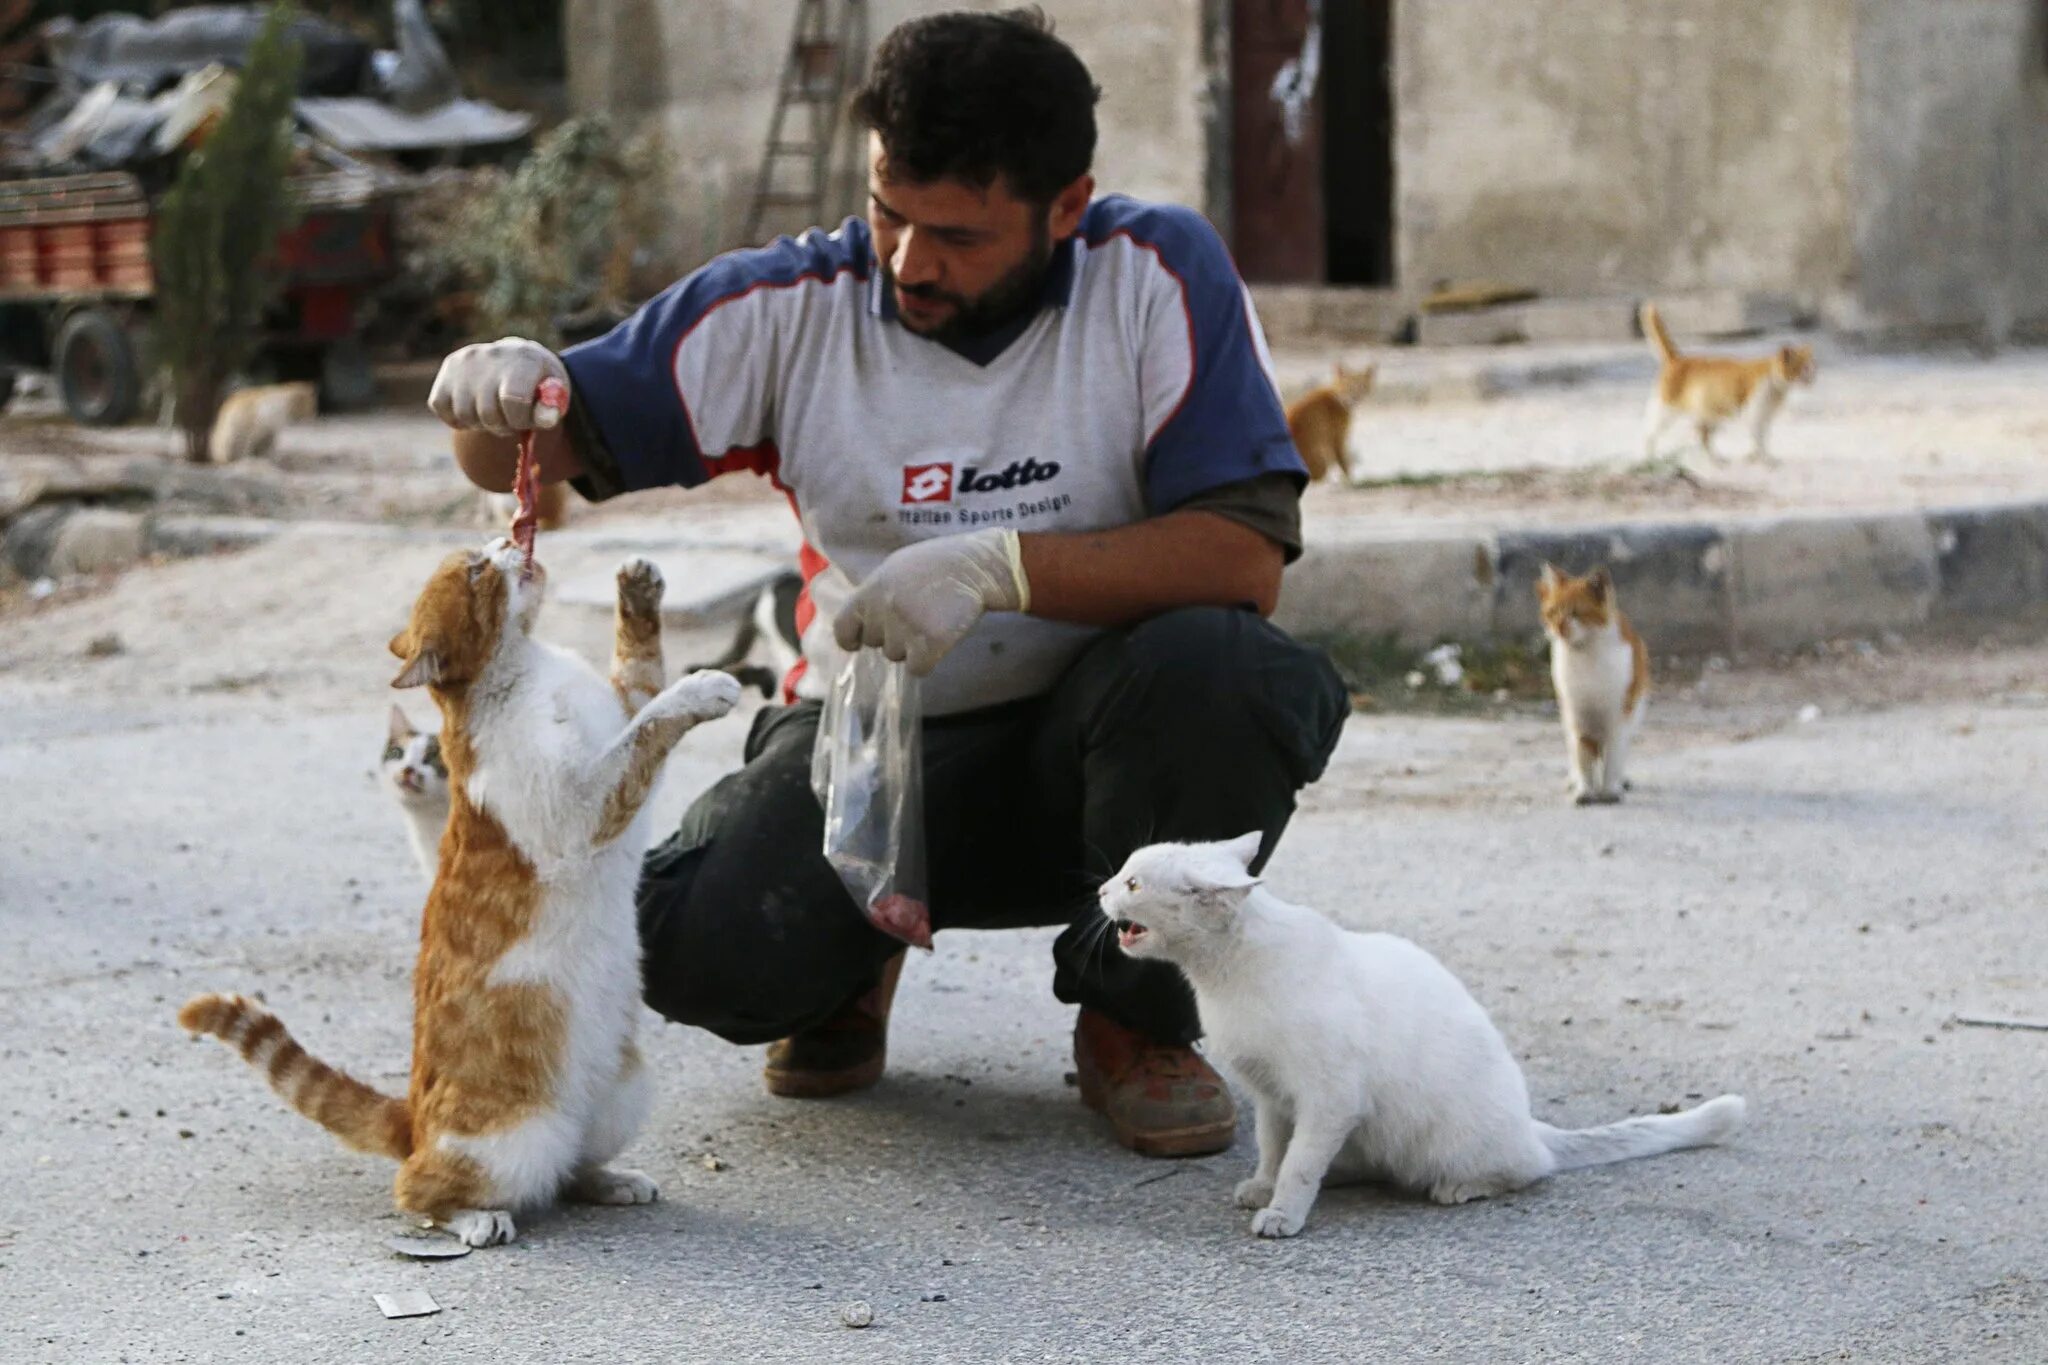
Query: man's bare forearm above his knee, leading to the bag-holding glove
(1113, 578)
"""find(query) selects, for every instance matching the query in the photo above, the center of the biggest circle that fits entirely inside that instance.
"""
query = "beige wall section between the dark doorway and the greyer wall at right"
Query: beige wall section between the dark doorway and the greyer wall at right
(1611, 146)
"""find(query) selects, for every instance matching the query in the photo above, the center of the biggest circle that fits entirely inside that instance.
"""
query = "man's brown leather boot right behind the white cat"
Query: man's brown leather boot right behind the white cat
(1160, 1100)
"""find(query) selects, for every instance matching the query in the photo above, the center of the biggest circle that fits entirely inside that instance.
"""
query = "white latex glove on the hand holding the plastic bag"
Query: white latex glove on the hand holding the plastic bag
(927, 597)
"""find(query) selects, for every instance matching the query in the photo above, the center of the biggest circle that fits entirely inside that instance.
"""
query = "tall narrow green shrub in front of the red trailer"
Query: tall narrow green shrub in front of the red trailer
(218, 230)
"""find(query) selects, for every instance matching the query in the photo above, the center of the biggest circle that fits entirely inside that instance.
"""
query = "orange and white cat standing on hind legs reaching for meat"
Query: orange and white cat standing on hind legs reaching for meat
(525, 1071)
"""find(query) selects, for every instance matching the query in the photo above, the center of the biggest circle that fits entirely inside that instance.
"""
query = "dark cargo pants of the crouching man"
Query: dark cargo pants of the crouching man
(1201, 723)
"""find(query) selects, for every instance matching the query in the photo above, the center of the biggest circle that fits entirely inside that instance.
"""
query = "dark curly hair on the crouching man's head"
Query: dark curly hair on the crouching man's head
(982, 97)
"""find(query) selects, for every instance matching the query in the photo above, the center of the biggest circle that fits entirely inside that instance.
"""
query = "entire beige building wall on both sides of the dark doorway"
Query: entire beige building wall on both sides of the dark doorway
(1883, 159)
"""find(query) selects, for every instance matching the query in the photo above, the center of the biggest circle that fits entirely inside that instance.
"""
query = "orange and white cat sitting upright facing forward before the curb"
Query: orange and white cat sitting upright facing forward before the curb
(1603, 676)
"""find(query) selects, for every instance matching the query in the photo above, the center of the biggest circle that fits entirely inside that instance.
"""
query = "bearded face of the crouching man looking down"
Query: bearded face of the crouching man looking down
(964, 261)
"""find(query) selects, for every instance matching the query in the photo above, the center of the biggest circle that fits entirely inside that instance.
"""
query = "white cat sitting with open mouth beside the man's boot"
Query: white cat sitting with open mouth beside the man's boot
(1367, 1059)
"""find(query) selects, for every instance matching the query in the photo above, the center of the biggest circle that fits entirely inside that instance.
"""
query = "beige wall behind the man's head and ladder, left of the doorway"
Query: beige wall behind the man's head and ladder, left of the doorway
(706, 77)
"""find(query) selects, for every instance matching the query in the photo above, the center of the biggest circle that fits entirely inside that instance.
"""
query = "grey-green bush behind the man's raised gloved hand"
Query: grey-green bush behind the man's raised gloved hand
(550, 240)
